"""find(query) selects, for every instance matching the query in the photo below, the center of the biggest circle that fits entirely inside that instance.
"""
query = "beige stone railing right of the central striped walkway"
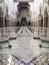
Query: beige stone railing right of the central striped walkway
(40, 31)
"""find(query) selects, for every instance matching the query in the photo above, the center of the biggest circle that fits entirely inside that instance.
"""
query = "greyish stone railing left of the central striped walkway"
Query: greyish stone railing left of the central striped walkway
(8, 30)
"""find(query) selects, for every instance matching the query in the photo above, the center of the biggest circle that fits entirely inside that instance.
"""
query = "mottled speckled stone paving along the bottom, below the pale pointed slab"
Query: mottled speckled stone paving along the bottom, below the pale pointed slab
(42, 59)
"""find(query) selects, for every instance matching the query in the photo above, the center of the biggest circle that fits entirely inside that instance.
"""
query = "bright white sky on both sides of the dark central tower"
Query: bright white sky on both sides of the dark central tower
(34, 7)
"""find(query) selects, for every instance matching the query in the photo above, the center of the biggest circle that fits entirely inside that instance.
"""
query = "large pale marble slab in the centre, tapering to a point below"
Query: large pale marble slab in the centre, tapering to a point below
(25, 48)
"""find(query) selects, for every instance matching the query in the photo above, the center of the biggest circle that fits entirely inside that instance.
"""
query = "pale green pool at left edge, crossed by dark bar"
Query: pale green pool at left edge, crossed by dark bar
(4, 47)
